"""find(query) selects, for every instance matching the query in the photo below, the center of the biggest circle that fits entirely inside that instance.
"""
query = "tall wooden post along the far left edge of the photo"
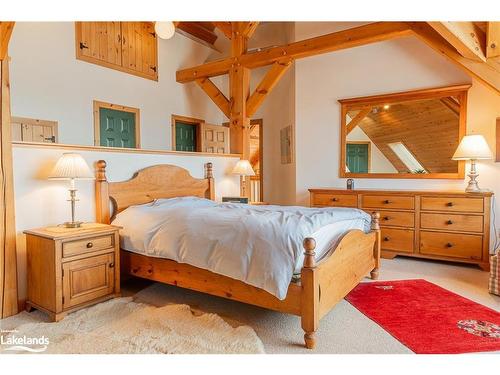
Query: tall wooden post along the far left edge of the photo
(8, 259)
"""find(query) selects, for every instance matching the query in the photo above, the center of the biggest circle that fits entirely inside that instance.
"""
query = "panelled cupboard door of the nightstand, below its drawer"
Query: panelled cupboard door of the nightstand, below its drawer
(88, 279)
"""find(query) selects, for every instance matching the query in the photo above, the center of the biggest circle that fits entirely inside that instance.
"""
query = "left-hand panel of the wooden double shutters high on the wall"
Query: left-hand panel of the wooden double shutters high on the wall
(100, 41)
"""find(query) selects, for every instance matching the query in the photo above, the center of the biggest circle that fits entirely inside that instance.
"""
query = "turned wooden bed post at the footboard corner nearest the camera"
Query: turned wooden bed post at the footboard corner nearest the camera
(310, 294)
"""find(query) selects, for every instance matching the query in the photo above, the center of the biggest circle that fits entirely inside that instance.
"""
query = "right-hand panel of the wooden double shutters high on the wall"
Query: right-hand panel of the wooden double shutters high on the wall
(139, 48)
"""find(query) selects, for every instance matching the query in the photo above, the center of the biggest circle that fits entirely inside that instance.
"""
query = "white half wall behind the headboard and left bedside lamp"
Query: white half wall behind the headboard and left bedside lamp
(40, 202)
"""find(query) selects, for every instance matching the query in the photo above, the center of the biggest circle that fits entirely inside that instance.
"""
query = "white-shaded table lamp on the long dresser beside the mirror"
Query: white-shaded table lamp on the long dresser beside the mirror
(472, 147)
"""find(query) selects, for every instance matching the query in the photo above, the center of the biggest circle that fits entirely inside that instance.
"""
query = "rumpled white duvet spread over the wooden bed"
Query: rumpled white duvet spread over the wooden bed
(259, 245)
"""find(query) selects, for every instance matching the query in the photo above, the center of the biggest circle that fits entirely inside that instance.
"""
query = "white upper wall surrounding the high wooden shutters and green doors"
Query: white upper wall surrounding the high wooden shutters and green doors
(48, 82)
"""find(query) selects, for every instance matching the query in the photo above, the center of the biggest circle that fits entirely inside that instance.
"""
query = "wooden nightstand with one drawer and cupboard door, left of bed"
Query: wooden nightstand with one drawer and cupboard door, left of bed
(70, 268)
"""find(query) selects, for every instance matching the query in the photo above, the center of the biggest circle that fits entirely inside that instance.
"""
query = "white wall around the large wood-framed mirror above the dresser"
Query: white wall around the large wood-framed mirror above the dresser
(391, 66)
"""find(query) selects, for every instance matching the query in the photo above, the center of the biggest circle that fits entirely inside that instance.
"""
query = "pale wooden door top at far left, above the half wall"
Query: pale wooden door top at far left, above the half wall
(33, 130)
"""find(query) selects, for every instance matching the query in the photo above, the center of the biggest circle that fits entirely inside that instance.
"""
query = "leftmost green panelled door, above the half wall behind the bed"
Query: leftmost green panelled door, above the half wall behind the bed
(117, 128)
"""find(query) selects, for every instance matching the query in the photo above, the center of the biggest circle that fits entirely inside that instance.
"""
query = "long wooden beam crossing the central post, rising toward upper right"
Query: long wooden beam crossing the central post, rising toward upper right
(366, 34)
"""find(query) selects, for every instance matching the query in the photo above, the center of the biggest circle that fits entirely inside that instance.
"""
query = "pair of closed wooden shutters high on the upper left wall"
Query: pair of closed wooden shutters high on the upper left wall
(130, 47)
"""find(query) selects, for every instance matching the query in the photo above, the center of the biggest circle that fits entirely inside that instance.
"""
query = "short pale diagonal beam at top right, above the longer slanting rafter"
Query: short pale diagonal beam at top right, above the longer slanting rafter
(467, 38)
